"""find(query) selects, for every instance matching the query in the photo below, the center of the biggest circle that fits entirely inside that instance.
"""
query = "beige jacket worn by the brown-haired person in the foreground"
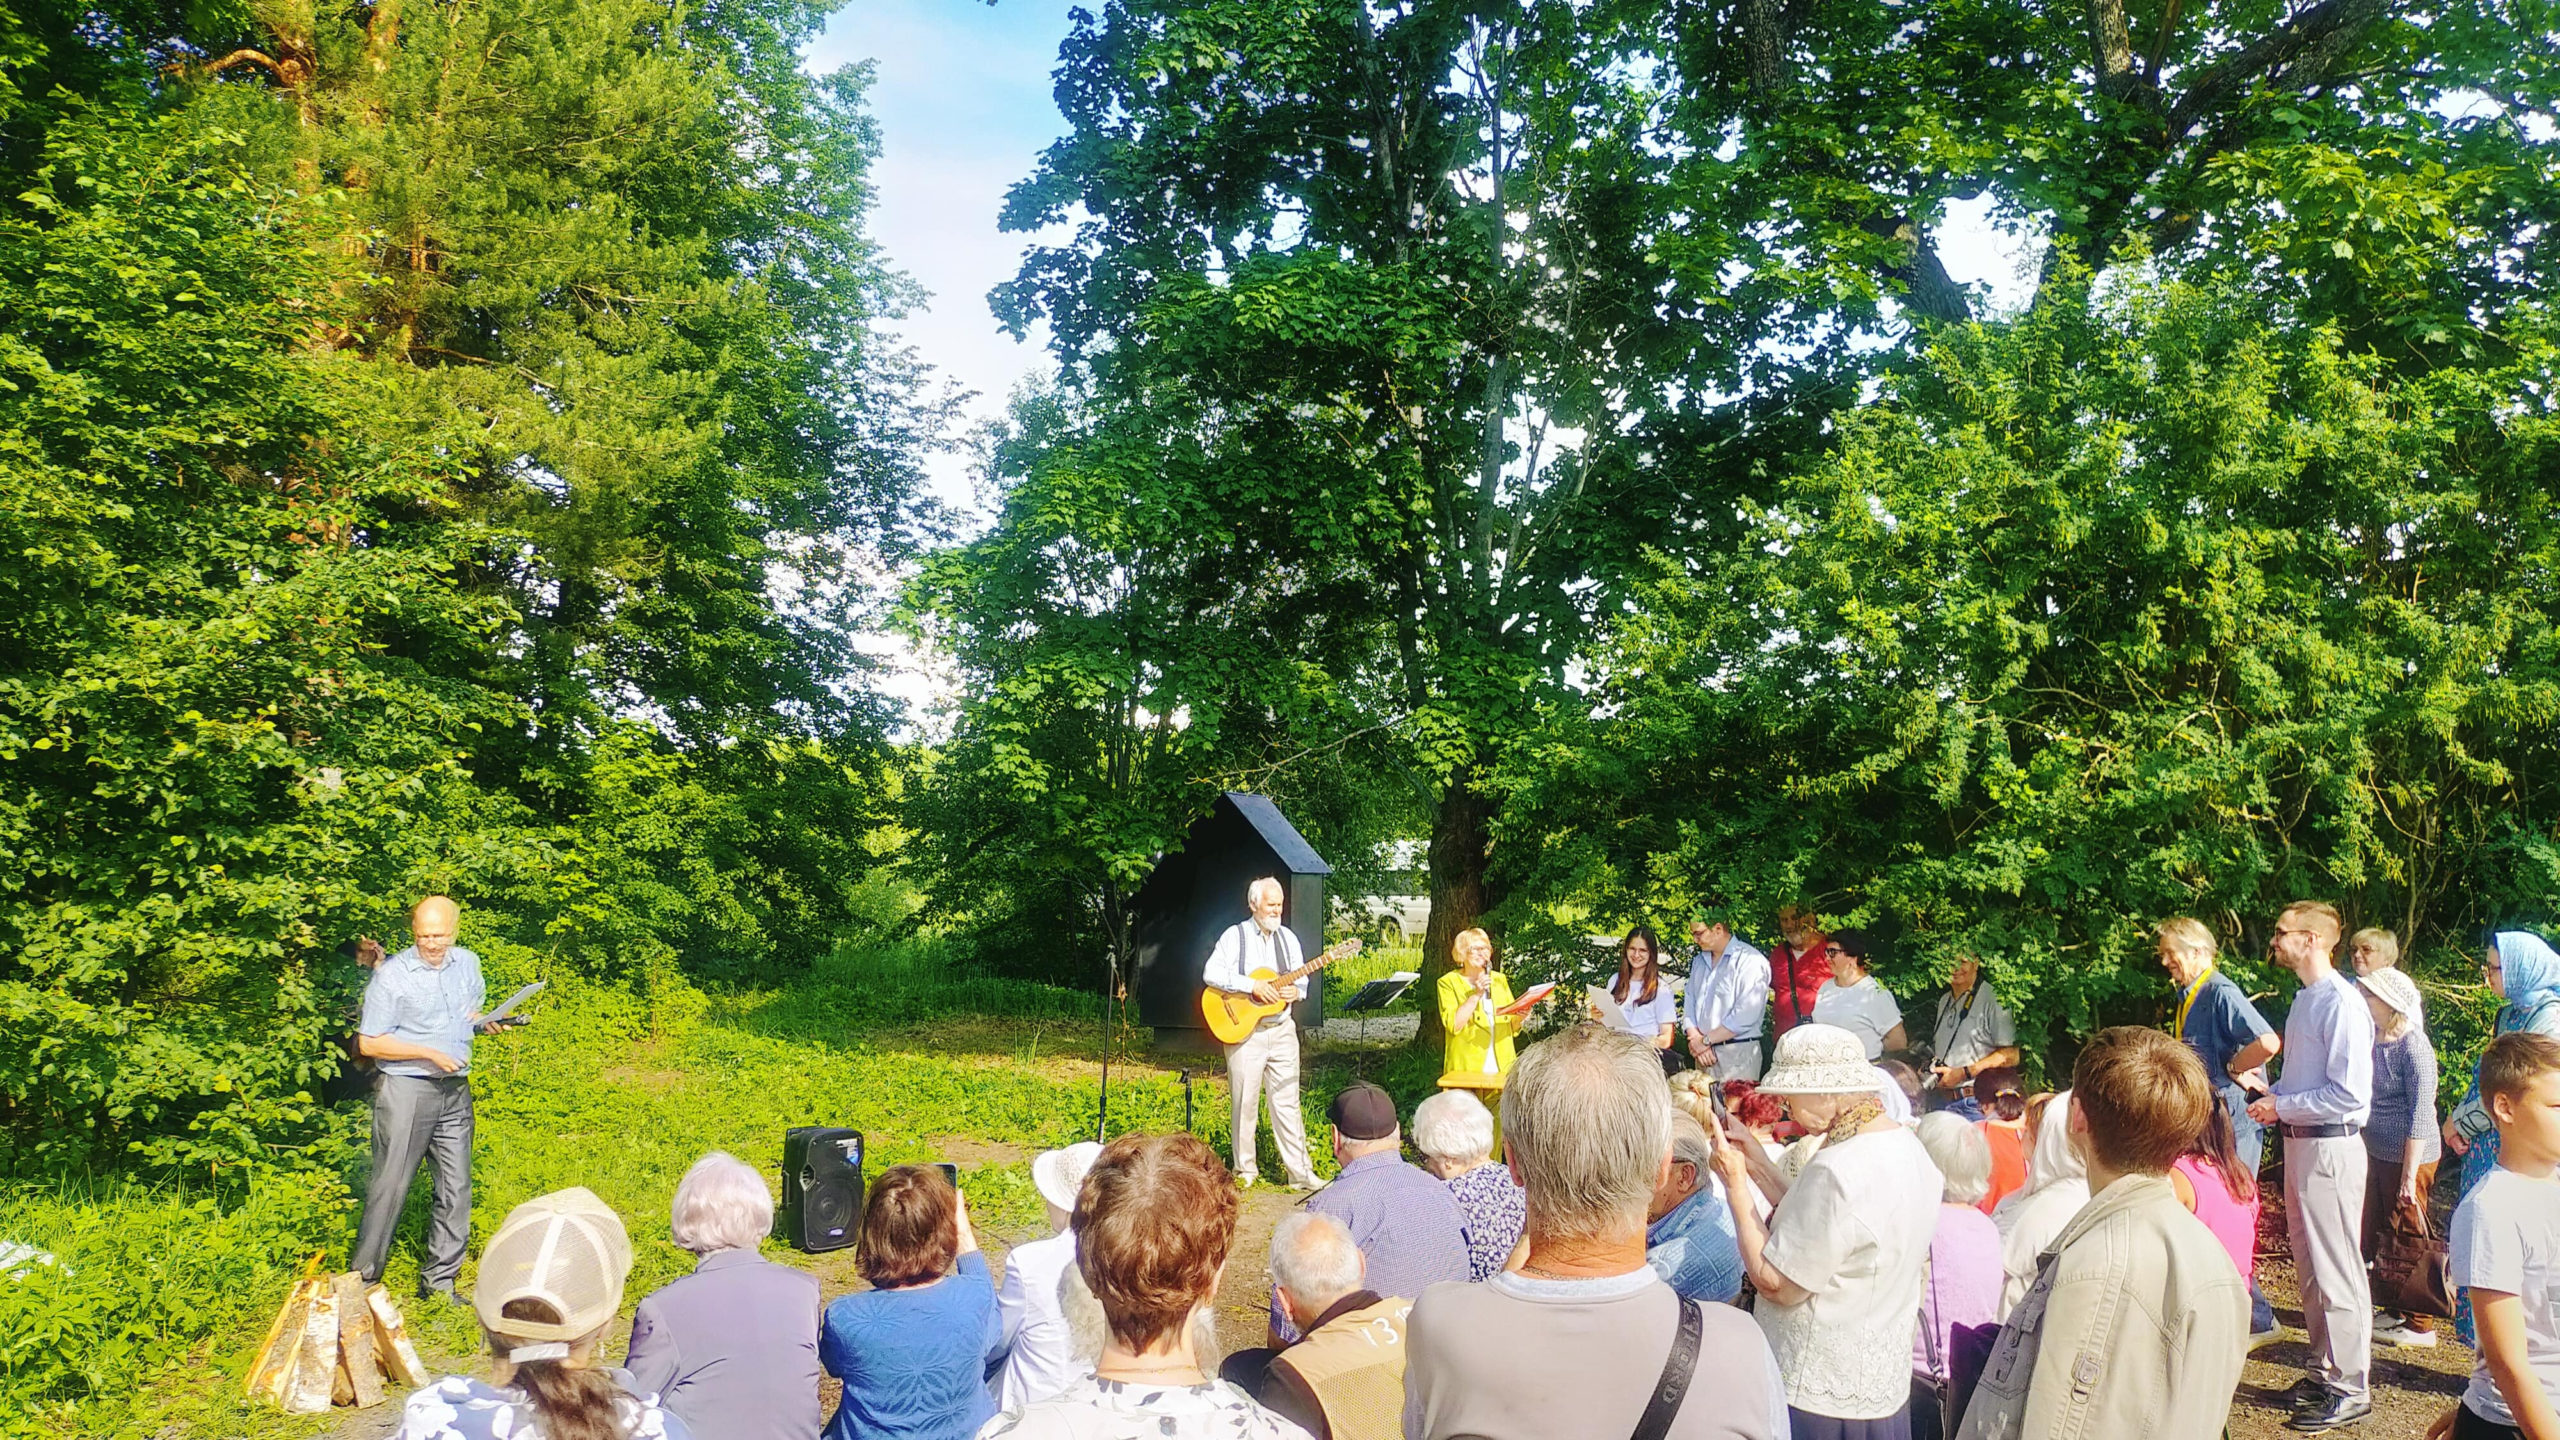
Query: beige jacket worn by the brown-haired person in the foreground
(2134, 1326)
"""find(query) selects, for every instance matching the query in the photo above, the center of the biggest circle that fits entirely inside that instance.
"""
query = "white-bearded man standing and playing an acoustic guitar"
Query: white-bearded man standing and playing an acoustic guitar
(1253, 975)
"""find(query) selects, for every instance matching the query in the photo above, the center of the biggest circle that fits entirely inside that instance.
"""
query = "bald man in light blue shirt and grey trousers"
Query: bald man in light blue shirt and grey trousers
(419, 1019)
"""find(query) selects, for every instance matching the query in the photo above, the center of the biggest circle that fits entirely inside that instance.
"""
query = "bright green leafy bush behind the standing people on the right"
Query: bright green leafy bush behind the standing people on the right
(2147, 606)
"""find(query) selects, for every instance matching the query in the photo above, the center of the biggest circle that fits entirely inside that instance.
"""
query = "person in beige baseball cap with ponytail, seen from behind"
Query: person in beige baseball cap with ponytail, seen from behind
(549, 1285)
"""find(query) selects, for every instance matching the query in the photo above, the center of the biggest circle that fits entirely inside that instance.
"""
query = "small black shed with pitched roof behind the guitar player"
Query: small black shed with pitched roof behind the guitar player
(1199, 890)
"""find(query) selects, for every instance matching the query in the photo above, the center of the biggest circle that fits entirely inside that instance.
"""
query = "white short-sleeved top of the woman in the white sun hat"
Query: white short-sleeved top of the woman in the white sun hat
(1855, 1231)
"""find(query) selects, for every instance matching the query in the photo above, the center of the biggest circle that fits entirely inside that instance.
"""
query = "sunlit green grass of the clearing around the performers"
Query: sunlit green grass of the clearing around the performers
(160, 1295)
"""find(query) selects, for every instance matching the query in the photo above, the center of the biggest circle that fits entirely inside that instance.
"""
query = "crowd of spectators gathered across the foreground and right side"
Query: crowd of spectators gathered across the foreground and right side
(1791, 1244)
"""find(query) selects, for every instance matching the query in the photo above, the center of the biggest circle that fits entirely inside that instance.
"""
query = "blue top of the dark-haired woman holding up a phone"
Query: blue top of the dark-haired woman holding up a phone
(913, 1359)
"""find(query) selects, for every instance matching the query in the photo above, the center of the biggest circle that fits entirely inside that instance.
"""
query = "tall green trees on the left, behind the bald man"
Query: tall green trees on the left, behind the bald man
(431, 455)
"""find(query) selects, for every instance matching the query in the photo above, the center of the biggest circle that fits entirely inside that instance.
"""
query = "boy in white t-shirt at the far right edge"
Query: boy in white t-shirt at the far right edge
(2508, 1252)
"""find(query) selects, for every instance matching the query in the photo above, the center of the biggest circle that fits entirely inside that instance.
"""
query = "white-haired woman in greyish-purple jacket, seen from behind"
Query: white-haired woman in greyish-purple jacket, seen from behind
(731, 1346)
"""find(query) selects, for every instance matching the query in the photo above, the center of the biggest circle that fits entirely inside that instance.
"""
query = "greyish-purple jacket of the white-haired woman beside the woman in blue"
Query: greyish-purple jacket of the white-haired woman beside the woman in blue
(733, 1349)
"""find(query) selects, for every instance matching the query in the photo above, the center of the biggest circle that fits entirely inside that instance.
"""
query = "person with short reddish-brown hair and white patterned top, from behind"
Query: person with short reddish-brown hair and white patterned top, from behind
(1153, 1226)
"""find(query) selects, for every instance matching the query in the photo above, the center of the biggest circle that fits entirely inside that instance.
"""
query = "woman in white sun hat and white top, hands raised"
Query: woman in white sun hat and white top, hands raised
(1839, 1267)
